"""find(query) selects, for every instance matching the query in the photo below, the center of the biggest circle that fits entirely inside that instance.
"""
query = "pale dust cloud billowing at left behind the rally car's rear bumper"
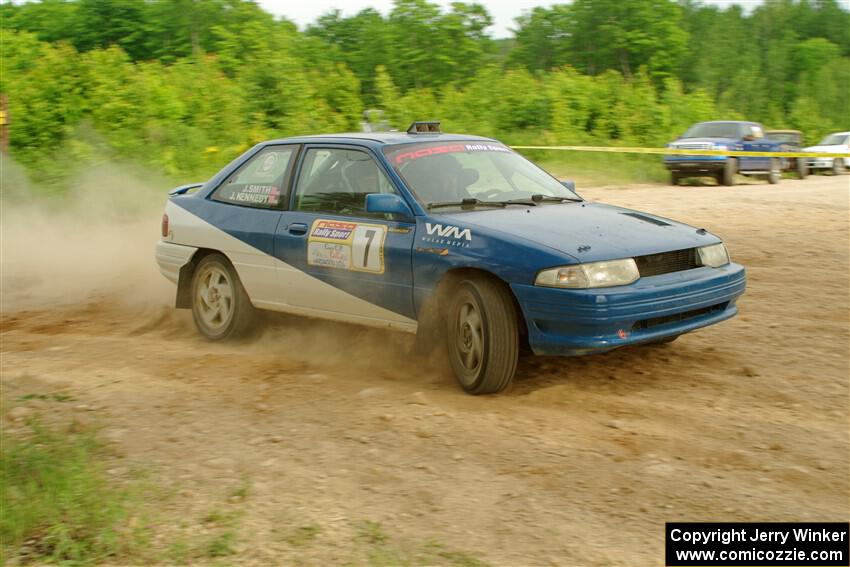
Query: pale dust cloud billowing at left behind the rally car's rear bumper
(94, 241)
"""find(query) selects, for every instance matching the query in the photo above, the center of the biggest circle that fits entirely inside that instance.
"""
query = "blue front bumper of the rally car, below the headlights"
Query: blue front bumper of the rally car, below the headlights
(584, 321)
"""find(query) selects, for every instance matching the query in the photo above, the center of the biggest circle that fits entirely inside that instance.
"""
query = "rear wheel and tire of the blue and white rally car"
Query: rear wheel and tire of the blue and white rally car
(220, 307)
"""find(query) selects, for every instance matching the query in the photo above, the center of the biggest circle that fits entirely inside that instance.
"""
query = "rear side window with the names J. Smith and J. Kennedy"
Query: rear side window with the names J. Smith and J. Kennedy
(261, 181)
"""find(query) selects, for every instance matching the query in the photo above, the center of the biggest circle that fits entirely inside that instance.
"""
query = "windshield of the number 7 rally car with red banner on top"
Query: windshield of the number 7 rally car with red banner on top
(449, 172)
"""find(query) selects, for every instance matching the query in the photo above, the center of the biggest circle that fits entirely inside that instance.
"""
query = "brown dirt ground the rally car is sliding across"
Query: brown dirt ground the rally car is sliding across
(332, 445)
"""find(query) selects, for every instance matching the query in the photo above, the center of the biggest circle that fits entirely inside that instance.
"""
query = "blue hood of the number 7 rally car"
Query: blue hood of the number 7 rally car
(587, 231)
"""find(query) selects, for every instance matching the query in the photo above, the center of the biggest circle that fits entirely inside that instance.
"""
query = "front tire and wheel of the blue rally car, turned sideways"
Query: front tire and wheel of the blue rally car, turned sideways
(483, 354)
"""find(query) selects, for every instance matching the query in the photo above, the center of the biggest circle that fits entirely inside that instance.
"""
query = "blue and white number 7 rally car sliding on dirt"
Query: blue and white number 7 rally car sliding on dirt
(456, 238)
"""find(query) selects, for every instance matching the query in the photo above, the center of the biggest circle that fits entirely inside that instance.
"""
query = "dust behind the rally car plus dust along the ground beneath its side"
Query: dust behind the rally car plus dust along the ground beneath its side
(90, 253)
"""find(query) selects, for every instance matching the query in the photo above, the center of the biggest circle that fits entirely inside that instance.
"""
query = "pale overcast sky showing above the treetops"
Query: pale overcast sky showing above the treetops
(304, 12)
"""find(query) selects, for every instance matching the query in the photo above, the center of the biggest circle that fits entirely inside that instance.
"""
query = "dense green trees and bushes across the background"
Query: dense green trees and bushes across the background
(185, 85)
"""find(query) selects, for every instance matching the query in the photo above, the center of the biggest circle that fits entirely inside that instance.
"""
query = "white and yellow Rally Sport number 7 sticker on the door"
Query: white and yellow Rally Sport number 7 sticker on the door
(347, 246)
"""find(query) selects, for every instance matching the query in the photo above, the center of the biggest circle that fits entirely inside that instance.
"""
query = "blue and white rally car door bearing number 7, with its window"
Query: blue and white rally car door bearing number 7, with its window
(358, 265)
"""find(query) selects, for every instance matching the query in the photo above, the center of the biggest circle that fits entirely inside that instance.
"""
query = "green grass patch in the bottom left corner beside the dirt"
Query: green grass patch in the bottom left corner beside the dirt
(56, 504)
